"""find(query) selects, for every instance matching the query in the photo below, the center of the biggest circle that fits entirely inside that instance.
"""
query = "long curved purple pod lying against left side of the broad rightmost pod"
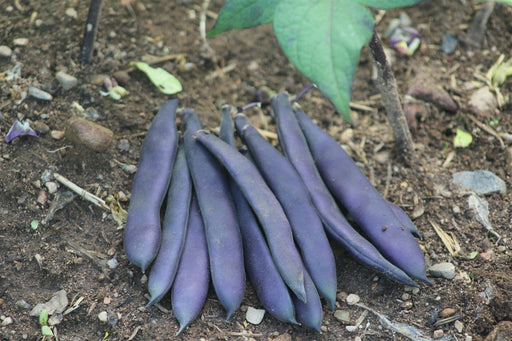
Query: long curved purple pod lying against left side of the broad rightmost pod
(297, 151)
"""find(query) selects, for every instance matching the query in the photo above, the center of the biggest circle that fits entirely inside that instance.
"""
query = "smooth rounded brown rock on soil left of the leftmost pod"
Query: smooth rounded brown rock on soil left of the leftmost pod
(89, 134)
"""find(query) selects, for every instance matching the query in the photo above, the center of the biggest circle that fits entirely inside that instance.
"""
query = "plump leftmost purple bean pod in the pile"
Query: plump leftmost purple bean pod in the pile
(143, 230)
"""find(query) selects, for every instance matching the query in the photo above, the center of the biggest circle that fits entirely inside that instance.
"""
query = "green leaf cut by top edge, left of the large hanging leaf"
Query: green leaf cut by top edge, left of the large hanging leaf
(243, 14)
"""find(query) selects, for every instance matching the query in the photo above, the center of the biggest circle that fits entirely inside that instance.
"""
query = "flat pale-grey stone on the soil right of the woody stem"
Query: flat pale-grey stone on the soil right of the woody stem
(480, 182)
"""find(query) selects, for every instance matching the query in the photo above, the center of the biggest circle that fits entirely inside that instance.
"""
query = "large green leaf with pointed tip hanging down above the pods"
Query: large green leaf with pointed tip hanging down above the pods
(323, 38)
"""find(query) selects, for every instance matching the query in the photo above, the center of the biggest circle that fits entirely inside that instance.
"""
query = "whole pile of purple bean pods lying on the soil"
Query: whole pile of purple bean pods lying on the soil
(231, 212)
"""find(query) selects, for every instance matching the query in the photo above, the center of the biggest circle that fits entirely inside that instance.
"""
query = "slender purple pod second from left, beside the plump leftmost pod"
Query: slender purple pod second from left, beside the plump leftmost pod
(174, 228)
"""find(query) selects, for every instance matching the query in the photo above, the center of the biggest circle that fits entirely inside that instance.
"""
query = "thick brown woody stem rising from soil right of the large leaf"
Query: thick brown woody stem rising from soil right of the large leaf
(386, 84)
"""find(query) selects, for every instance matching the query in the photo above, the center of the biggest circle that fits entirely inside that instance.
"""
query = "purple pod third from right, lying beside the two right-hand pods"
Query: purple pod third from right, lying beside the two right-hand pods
(291, 192)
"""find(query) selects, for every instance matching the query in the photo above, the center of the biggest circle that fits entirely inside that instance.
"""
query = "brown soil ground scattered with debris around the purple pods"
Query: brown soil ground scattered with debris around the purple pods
(70, 251)
